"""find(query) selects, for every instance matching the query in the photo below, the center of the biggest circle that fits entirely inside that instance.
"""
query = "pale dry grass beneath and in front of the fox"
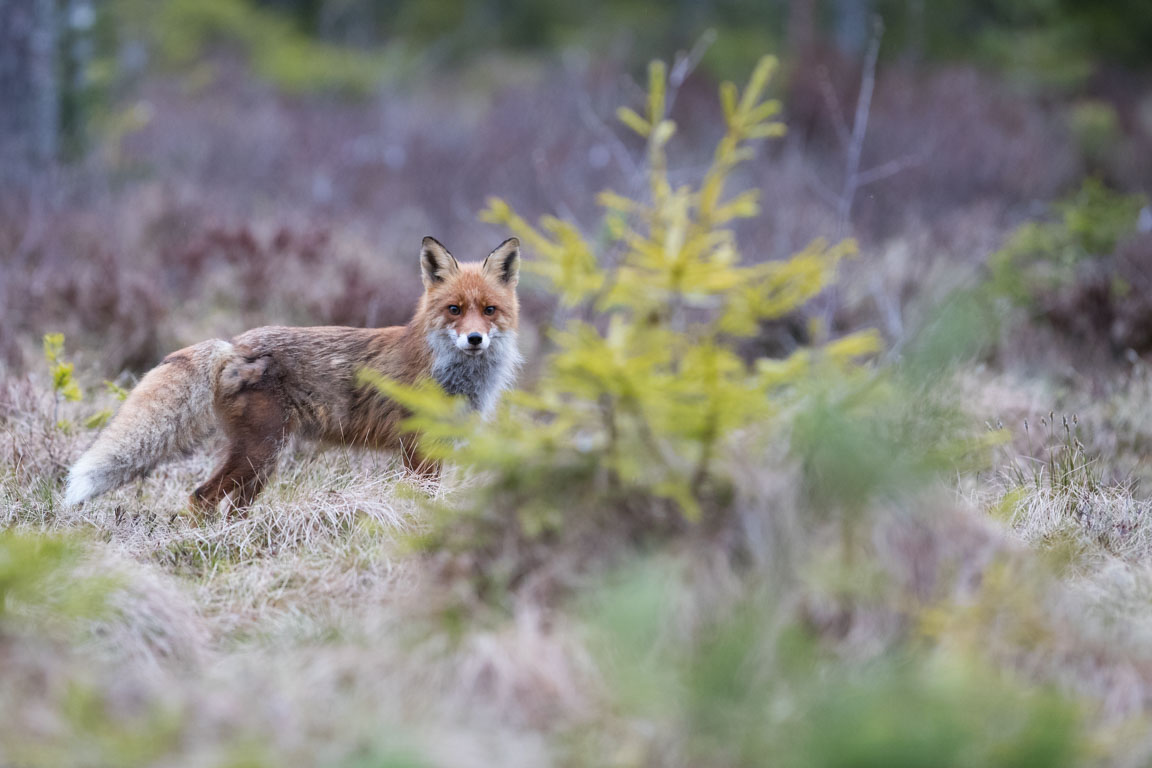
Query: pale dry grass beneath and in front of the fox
(305, 626)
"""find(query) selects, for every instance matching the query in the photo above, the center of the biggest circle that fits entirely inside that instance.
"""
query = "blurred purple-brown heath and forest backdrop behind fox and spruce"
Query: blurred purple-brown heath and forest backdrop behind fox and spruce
(187, 132)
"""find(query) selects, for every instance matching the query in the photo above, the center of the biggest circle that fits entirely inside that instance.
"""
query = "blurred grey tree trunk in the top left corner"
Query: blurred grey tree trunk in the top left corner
(29, 96)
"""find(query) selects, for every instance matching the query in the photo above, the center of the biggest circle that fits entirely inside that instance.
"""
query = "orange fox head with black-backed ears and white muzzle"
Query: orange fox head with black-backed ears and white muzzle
(471, 305)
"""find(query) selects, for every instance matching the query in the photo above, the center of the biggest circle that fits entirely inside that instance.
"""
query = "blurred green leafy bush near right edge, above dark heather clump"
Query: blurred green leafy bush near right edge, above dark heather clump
(1044, 256)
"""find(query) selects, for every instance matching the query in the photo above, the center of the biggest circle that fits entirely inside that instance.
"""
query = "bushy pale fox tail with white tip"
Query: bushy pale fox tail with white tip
(170, 412)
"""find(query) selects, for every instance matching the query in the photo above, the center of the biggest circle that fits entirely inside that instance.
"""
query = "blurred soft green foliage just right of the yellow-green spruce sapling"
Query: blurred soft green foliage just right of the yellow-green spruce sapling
(878, 434)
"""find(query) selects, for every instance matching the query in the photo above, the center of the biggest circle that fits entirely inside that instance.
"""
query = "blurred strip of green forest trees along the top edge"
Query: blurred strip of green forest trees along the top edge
(327, 45)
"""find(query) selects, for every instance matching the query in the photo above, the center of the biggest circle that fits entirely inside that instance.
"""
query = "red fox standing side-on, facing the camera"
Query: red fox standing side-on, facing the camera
(271, 383)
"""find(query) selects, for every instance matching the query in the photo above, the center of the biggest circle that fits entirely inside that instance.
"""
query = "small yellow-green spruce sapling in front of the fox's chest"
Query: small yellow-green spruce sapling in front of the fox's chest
(646, 391)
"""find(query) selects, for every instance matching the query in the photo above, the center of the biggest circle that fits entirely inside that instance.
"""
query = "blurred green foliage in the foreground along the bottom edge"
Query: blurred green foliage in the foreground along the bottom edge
(753, 688)
